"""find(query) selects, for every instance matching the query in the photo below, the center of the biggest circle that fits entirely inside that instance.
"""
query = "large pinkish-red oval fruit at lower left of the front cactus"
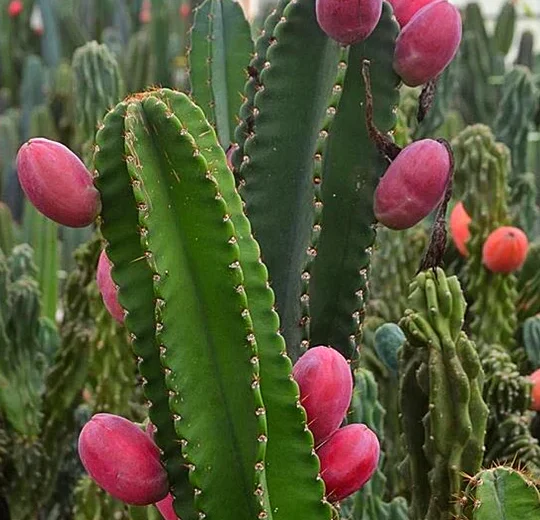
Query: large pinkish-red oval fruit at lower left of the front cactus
(122, 460)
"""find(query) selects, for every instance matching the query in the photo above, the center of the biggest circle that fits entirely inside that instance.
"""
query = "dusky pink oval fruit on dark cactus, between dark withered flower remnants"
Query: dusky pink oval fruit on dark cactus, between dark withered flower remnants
(413, 185)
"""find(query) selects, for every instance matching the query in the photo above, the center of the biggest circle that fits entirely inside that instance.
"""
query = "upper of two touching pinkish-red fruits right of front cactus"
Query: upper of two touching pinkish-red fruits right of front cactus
(325, 382)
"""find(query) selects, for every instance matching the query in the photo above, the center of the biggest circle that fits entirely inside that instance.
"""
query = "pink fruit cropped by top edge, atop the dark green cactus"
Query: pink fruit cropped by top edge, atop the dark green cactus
(348, 21)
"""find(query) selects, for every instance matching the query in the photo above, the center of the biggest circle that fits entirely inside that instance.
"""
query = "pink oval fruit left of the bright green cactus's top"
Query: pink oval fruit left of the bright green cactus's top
(57, 183)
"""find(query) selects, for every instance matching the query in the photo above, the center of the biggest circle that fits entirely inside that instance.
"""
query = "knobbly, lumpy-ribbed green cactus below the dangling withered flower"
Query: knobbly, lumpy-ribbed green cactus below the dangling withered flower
(441, 379)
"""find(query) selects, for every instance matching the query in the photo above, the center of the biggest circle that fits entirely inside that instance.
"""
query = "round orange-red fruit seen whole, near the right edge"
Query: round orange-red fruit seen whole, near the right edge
(505, 250)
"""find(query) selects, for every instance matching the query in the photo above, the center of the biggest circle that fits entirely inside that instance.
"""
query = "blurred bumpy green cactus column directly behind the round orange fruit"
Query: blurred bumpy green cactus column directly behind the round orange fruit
(482, 167)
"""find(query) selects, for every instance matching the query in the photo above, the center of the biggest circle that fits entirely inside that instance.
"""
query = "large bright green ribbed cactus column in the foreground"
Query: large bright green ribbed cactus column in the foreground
(201, 318)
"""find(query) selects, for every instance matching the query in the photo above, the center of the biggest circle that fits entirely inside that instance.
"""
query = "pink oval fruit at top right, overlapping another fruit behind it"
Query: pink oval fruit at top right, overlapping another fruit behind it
(428, 43)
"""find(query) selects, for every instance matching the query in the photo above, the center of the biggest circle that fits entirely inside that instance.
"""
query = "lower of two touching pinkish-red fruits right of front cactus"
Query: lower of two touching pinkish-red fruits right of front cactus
(348, 460)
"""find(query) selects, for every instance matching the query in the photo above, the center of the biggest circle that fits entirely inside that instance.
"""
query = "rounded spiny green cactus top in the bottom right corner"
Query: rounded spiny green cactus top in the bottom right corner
(501, 492)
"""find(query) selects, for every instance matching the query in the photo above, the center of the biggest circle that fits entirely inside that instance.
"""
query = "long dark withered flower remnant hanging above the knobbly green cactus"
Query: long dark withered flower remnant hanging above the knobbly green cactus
(433, 257)
